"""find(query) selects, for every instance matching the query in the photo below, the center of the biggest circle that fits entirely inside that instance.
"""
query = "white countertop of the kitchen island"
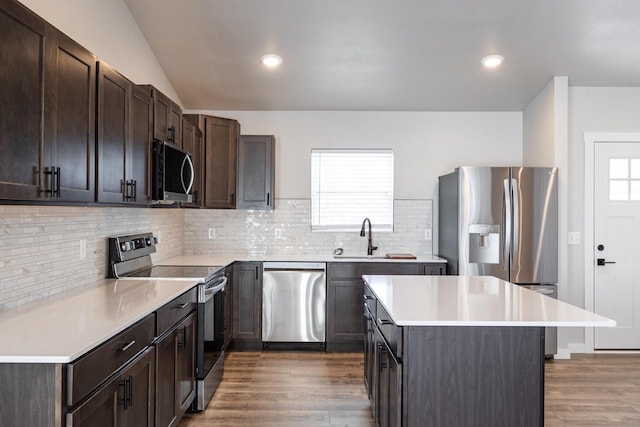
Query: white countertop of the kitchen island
(473, 301)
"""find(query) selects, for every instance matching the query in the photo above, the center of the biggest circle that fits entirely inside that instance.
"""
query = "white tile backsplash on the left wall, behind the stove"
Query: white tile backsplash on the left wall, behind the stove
(40, 252)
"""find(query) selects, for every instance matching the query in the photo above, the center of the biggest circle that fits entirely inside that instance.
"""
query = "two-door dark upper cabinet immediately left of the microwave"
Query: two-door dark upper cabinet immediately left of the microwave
(124, 136)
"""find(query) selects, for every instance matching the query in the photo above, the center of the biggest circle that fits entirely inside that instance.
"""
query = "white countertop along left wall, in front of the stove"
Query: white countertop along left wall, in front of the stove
(65, 327)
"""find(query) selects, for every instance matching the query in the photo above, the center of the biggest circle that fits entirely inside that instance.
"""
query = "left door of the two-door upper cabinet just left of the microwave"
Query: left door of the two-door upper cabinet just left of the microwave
(114, 92)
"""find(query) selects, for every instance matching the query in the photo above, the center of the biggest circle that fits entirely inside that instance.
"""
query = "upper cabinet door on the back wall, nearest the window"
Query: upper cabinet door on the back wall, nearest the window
(256, 164)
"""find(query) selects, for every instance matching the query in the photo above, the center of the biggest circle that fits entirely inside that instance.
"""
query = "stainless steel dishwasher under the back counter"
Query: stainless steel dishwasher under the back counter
(293, 305)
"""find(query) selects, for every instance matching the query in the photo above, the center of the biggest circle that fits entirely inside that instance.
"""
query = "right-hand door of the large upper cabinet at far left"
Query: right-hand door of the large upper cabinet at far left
(70, 112)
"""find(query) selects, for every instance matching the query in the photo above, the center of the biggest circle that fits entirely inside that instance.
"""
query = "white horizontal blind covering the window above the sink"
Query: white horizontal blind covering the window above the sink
(348, 186)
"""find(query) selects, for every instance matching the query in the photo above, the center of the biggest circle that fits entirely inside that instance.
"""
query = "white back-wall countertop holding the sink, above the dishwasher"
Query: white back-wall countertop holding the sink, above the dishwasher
(226, 259)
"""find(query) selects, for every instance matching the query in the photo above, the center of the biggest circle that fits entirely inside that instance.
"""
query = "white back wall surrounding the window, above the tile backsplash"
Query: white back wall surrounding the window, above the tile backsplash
(425, 144)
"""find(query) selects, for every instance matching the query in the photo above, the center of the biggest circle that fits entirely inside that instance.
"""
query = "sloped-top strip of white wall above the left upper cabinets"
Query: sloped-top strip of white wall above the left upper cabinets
(107, 28)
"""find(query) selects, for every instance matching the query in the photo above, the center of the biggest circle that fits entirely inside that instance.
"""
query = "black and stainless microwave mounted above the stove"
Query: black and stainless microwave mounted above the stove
(172, 174)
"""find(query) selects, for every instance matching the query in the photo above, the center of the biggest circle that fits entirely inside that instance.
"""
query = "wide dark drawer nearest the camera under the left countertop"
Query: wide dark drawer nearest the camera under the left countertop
(87, 372)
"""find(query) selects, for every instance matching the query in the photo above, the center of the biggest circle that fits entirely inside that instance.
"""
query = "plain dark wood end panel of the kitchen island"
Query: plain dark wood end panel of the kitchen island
(473, 376)
